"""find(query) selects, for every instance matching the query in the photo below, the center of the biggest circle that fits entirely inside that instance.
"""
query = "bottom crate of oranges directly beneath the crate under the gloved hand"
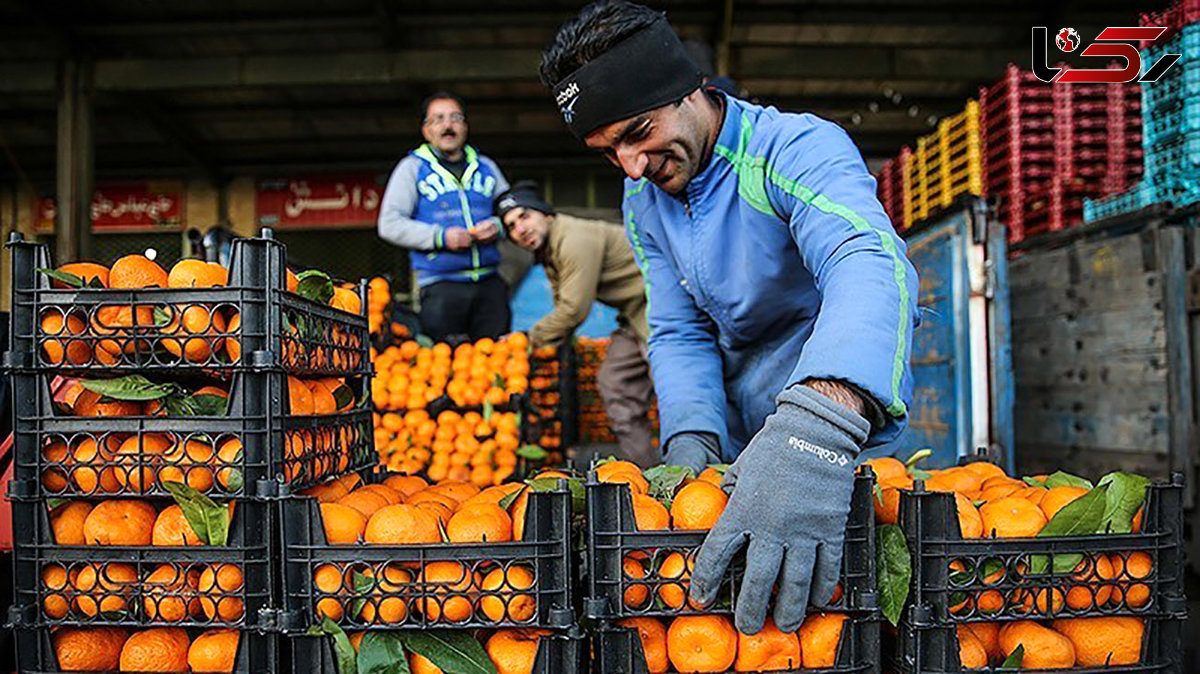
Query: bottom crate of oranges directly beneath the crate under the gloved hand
(826, 642)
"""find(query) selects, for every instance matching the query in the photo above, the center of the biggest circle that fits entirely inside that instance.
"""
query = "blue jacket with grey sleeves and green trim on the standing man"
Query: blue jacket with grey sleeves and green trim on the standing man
(424, 198)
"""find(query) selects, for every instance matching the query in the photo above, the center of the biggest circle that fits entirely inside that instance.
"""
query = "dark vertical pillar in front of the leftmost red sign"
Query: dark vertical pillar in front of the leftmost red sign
(75, 161)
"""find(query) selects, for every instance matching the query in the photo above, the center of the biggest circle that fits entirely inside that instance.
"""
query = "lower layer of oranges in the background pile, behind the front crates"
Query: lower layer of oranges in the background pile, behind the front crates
(452, 447)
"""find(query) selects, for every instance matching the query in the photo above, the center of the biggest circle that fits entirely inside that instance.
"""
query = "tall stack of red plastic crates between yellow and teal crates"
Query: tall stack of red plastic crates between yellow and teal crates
(1048, 147)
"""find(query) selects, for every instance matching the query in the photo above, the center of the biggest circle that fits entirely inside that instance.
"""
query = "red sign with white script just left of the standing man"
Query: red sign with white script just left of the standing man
(320, 202)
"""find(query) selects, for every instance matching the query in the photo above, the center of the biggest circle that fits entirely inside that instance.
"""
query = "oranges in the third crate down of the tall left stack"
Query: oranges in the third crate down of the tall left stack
(170, 593)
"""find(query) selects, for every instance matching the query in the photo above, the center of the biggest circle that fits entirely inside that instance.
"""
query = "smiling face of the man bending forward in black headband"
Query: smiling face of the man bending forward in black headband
(665, 146)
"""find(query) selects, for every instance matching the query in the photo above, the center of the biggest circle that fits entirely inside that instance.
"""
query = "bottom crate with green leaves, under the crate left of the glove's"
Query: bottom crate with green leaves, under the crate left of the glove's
(509, 651)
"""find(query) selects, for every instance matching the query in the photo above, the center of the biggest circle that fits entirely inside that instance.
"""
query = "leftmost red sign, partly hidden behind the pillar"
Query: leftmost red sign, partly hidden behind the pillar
(128, 207)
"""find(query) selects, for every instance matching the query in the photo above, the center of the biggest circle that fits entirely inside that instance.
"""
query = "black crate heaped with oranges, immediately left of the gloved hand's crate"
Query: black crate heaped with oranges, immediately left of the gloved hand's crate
(394, 552)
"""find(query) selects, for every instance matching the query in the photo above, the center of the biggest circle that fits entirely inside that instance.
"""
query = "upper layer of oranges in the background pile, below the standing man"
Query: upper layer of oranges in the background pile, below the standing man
(411, 377)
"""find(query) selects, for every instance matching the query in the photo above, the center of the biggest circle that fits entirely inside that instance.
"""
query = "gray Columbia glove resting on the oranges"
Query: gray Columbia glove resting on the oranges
(790, 503)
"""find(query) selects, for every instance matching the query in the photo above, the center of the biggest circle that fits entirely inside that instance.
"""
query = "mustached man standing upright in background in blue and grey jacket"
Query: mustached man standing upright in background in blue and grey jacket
(439, 204)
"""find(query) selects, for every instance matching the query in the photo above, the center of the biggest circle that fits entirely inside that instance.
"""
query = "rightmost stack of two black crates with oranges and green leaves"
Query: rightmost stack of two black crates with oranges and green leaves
(1042, 573)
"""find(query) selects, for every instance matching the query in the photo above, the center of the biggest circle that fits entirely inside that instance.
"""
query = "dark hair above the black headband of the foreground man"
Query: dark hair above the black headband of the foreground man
(599, 27)
